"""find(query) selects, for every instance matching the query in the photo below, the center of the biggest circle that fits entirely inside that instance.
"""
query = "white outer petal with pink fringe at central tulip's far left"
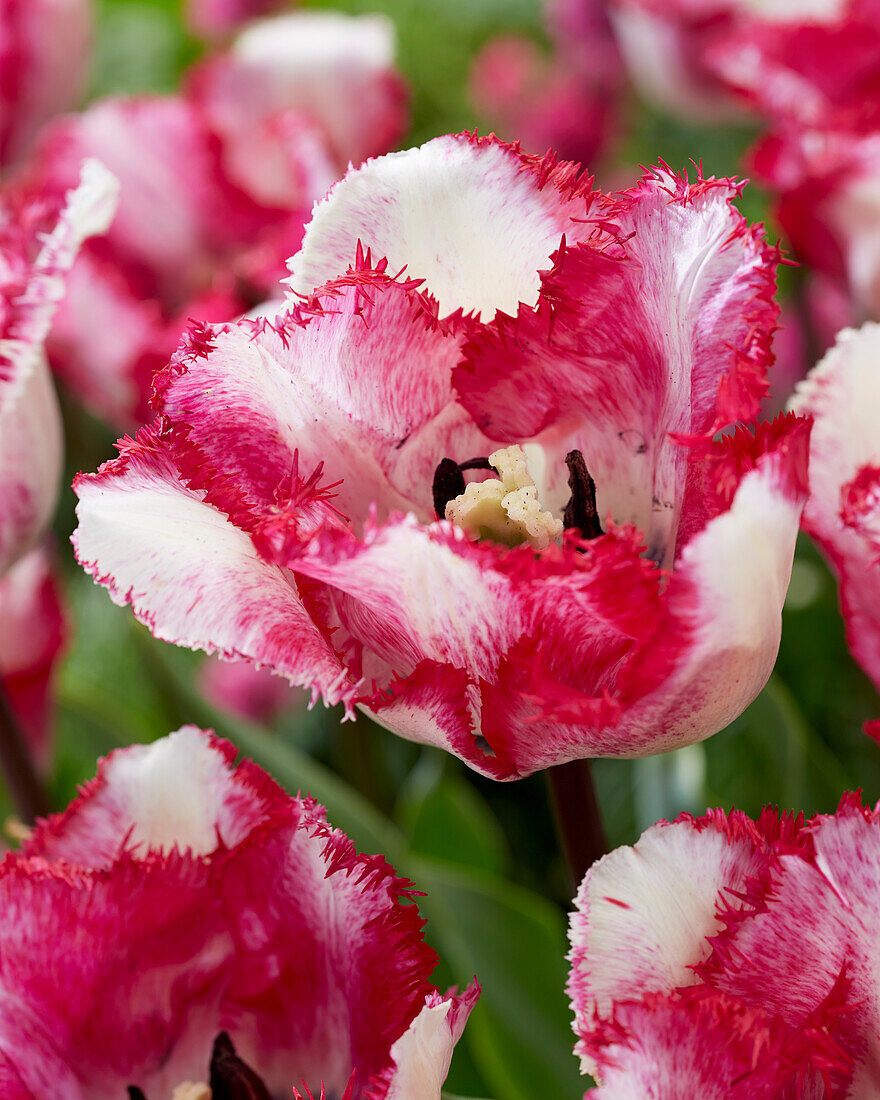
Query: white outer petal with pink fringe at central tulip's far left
(193, 576)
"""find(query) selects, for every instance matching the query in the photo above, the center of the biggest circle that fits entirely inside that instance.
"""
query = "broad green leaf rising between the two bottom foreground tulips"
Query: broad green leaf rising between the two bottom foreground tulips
(520, 1036)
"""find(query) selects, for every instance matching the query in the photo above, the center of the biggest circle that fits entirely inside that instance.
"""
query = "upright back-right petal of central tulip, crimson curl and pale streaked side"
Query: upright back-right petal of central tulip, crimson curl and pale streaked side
(661, 325)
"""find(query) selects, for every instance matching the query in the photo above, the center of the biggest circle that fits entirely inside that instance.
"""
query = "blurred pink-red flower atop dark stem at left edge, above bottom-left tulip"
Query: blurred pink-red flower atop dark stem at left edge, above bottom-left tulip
(32, 635)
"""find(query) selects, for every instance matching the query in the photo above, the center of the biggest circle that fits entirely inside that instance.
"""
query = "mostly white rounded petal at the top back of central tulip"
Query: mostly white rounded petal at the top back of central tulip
(475, 218)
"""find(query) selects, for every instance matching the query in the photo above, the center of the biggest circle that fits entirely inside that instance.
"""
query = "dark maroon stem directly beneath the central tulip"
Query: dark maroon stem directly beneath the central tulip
(577, 817)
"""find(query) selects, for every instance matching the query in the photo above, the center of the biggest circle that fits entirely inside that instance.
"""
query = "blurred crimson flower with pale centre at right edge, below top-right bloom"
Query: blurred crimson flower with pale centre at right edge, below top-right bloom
(828, 185)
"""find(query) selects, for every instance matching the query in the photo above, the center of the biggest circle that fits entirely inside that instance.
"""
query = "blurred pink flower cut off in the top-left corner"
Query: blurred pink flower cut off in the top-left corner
(45, 56)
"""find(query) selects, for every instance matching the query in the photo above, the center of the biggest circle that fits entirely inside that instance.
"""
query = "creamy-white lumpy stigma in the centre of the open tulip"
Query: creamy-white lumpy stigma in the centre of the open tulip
(505, 511)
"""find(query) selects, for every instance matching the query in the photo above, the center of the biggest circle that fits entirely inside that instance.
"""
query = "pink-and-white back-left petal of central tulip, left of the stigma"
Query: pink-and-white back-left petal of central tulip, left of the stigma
(358, 382)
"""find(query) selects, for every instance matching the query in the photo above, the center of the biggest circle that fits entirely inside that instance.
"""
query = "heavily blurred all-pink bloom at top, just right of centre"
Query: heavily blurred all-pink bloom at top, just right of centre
(568, 102)
